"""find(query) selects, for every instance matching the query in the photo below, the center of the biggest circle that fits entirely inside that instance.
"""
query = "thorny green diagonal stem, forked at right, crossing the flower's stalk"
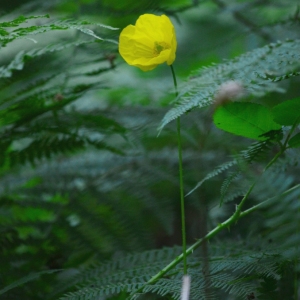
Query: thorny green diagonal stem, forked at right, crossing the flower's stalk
(236, 216)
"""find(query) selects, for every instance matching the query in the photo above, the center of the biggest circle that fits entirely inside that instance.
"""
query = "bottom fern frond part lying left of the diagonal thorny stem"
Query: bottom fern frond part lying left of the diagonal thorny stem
(123, 272)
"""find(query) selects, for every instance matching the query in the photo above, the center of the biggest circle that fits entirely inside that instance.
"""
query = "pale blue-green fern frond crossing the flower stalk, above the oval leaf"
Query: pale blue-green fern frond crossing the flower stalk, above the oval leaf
(249, 69)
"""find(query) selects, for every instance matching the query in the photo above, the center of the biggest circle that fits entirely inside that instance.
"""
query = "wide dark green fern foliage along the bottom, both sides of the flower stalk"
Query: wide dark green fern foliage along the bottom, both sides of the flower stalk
(225, 274)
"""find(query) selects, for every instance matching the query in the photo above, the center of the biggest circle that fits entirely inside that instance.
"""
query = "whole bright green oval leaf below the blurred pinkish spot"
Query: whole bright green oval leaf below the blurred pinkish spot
(250, 120)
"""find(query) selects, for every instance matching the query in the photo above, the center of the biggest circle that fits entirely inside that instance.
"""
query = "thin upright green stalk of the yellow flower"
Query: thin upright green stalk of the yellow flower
(180, 181)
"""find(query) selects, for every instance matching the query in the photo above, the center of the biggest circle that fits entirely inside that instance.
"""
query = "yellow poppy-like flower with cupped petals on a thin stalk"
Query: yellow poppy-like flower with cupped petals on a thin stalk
(151, 42)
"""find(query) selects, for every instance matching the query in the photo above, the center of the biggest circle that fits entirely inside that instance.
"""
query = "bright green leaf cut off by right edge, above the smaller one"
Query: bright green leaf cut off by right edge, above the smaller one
(288, 112)
